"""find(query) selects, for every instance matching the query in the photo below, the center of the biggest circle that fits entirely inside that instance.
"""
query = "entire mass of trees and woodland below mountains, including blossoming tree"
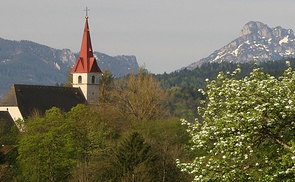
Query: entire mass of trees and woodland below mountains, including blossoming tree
(218, 122)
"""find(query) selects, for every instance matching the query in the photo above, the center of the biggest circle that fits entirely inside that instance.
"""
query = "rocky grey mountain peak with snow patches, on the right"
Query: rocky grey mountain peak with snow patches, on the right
(256, 41)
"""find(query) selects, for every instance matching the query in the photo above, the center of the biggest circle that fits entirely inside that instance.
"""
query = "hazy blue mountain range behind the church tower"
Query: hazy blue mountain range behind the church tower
(27, 62)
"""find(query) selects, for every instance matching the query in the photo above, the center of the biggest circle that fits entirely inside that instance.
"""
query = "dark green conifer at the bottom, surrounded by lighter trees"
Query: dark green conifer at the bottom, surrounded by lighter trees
(133, 160)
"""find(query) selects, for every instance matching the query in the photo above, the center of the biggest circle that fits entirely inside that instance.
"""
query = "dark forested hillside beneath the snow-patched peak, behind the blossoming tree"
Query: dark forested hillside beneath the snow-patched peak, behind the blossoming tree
(182, 86)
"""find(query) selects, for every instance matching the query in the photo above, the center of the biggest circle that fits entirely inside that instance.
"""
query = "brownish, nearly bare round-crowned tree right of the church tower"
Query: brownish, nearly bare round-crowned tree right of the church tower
(140, 97)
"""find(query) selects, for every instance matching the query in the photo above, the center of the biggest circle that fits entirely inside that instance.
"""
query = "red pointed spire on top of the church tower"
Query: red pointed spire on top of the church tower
(86, 63)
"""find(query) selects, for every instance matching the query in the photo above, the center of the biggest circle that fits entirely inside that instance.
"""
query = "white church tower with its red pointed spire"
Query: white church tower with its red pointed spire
(86, 72)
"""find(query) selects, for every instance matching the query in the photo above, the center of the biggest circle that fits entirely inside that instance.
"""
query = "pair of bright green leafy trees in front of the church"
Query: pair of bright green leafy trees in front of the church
(53, 146)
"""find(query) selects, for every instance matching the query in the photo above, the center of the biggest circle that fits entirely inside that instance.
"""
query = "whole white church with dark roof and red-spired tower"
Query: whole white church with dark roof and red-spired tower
(21, 101)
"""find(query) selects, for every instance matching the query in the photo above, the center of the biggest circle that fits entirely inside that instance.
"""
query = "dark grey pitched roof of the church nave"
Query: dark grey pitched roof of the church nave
(32, 98)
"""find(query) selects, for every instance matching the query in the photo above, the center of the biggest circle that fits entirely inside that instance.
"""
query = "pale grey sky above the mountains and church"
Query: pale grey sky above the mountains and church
(164, 35)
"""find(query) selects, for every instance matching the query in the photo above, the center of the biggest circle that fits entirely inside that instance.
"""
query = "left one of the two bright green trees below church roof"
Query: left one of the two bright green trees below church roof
(45, 150)
